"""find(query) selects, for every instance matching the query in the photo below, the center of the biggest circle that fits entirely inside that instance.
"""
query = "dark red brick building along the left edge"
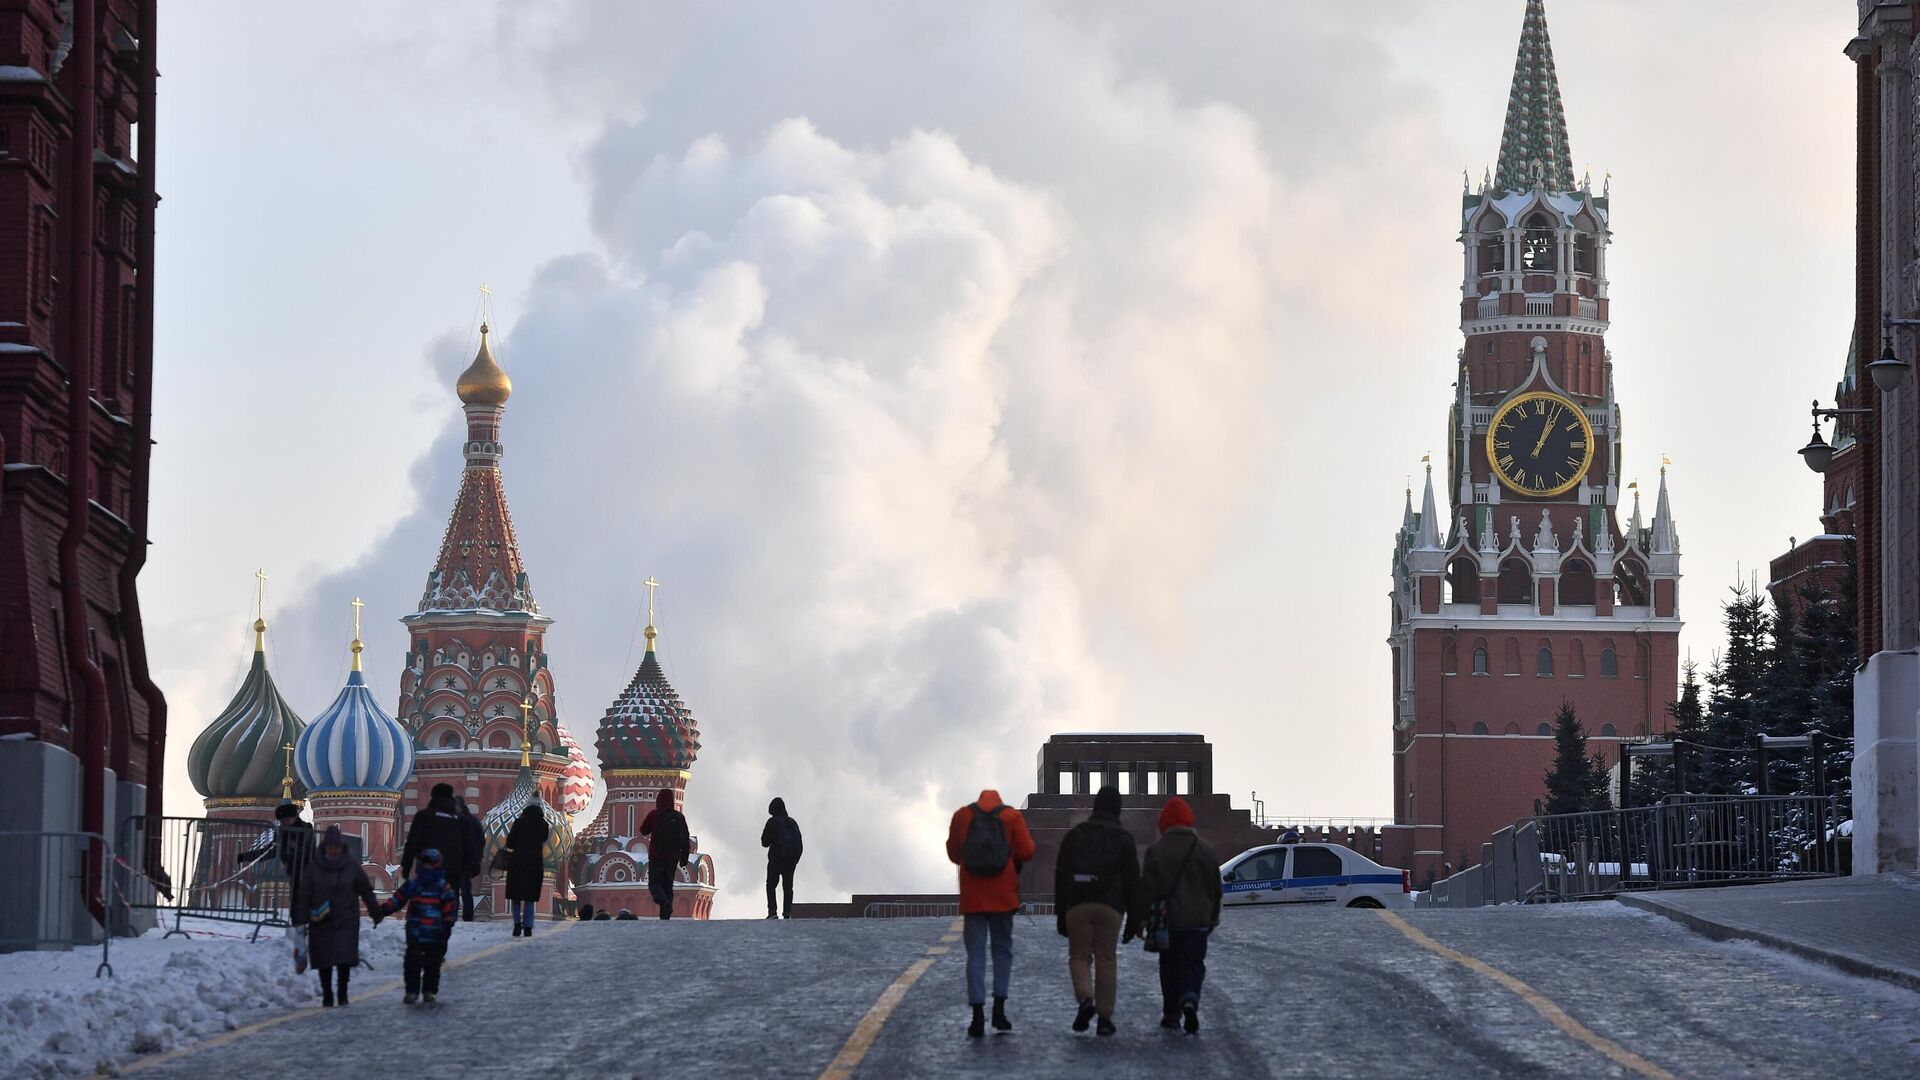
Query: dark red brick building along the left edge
(76, 410)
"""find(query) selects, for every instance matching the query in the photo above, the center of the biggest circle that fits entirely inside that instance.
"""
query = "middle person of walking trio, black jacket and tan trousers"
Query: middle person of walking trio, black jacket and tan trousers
(1097, 881)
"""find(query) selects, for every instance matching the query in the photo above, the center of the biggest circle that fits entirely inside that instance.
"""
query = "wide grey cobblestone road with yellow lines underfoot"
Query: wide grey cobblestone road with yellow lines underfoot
(1289, 994)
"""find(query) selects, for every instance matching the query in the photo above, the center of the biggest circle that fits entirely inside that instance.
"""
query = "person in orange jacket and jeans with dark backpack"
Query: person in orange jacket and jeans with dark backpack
(990, 843)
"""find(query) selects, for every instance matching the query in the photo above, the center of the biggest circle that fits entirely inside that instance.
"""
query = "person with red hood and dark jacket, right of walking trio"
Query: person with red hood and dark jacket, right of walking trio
(1180, 908)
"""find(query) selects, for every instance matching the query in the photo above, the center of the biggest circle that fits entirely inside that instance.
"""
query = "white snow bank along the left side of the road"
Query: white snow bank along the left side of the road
(57, 1019)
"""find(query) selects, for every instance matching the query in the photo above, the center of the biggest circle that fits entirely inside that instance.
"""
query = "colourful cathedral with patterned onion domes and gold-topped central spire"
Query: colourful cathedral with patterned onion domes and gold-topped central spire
(477, 712)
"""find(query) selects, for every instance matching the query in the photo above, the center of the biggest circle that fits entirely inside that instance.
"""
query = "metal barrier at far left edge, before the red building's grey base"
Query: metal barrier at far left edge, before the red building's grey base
(43, 893)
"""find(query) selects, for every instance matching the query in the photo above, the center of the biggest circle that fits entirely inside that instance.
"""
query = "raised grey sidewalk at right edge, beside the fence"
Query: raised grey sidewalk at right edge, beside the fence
(1863, 925)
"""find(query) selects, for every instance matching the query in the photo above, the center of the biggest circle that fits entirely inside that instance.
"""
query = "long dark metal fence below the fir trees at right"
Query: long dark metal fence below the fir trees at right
(1687, 841)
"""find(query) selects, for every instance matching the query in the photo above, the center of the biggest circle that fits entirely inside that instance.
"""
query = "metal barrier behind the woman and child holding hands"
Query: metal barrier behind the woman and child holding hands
(222, 870)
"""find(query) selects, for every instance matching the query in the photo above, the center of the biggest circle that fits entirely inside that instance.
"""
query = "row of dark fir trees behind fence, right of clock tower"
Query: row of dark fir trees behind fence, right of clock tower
(1783, 674)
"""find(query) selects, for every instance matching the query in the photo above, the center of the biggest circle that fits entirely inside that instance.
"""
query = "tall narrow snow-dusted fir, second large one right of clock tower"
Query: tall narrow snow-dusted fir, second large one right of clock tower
(1740, 685)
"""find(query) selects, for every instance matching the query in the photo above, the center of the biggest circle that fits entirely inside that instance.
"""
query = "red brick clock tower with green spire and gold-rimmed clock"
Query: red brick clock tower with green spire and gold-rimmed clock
(1531, 593)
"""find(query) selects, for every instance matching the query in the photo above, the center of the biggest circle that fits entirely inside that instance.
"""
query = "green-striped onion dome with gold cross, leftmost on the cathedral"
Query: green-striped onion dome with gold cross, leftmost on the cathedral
(241, 754)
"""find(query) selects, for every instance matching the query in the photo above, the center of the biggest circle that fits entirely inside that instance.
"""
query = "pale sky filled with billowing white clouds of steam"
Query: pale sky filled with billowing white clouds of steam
(965, 372)
